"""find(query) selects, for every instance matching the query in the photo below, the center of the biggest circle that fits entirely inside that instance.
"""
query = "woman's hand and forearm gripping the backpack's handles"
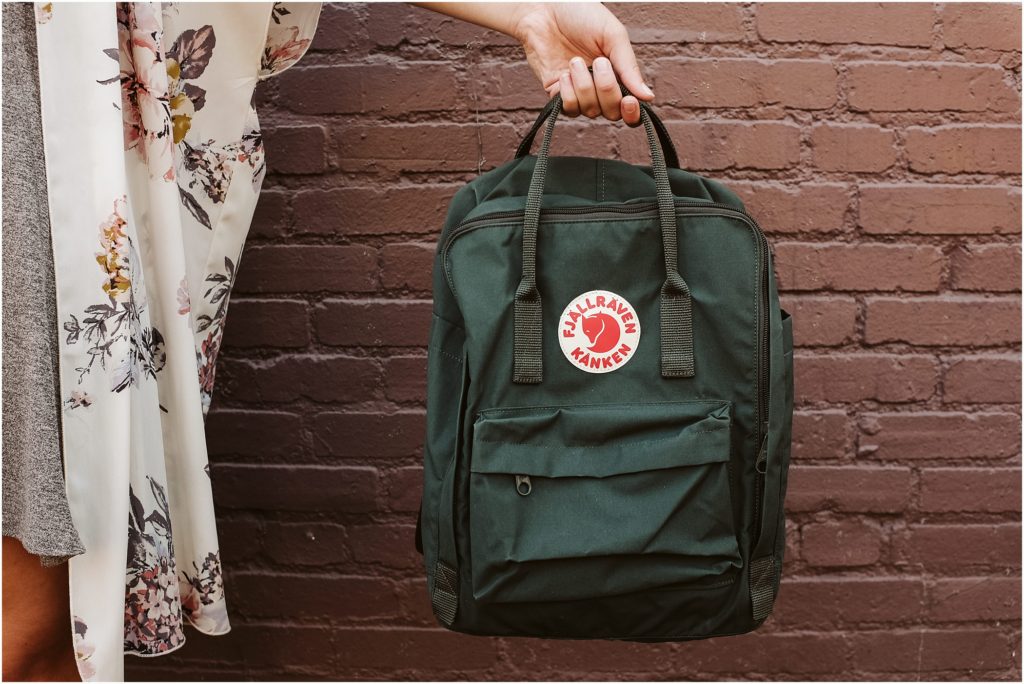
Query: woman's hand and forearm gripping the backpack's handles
(561, 39)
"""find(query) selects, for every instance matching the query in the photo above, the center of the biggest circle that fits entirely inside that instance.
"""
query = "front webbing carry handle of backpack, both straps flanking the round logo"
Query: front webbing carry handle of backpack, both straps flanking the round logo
(676, 306)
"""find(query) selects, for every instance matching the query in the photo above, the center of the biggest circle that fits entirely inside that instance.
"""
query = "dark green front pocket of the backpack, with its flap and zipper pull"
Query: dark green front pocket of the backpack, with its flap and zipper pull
(582, 502)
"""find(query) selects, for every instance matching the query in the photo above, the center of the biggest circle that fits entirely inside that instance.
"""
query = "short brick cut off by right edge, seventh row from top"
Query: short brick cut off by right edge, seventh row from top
(984, 380)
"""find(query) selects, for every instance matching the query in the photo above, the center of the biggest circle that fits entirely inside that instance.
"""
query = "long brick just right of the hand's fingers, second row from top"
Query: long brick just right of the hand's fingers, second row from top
(802, 84)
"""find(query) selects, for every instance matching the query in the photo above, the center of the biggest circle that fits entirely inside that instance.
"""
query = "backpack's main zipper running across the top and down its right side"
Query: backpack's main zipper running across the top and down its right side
(690, 207)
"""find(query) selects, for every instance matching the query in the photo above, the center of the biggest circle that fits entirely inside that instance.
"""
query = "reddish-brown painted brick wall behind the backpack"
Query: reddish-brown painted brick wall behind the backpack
(878, 145)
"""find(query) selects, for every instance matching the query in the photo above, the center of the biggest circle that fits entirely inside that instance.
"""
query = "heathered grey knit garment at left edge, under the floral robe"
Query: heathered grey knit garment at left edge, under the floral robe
(35, 504)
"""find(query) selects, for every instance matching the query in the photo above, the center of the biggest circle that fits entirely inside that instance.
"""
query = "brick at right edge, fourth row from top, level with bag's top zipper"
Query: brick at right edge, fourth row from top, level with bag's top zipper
(941, 209)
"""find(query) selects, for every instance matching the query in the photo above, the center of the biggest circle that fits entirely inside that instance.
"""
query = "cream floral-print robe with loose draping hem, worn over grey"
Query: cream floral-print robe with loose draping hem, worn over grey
(154, 166)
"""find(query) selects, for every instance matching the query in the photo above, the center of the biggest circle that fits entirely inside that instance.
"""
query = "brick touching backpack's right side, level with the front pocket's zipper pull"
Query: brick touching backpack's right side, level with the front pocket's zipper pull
(844, 489)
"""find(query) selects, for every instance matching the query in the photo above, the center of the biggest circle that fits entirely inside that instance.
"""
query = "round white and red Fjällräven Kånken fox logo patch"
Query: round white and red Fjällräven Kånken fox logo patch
(600, 332)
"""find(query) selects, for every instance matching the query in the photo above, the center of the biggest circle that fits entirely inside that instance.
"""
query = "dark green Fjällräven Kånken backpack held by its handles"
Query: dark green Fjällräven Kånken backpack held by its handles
(610, 403)
